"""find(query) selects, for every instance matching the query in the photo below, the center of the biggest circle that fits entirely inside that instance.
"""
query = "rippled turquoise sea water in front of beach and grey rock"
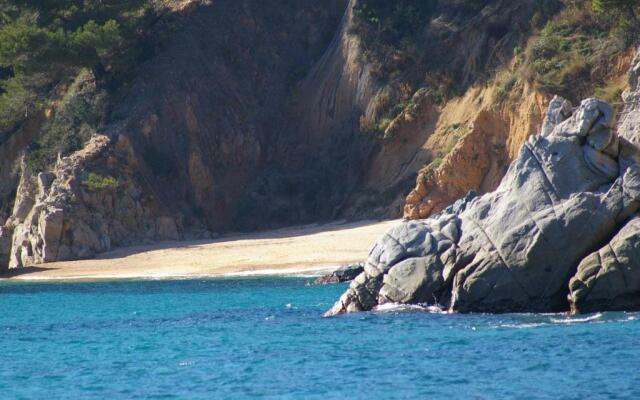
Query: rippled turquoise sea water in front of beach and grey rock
(265, 338)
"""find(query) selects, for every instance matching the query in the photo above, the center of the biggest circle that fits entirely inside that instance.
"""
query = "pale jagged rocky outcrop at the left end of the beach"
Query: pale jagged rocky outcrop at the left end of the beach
(89, 203)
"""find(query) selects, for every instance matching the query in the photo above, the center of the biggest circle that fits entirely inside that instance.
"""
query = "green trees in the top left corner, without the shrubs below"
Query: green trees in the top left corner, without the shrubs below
(46, 42)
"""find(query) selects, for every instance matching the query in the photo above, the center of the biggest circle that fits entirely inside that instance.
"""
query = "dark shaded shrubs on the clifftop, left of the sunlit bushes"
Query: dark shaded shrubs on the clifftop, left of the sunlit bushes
(439, 46)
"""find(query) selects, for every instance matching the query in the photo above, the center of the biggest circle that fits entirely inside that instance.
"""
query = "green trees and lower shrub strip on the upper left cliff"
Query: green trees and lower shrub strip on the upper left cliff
(51, 49)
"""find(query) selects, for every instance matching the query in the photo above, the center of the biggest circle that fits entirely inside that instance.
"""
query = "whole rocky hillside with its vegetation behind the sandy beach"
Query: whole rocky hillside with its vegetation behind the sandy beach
(156, 120)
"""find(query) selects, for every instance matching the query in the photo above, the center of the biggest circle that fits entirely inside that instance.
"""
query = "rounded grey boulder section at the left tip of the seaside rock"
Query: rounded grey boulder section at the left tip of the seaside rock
(411, 263)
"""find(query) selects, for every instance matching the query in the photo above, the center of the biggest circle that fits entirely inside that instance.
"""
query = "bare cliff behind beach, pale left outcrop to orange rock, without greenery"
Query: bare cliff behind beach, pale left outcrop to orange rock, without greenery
(253, 116)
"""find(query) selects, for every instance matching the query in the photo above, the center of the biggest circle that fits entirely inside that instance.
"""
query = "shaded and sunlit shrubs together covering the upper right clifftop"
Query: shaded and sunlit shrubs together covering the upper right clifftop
(565, 46)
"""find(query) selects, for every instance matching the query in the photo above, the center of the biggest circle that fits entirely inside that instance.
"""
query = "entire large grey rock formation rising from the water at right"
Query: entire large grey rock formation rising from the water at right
(516, 249)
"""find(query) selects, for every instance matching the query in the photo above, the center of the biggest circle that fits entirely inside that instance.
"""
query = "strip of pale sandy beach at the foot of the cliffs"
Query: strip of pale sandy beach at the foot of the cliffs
(288, 250)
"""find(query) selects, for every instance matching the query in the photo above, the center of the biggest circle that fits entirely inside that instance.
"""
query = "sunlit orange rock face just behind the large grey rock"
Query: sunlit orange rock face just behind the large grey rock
(490, 131)
